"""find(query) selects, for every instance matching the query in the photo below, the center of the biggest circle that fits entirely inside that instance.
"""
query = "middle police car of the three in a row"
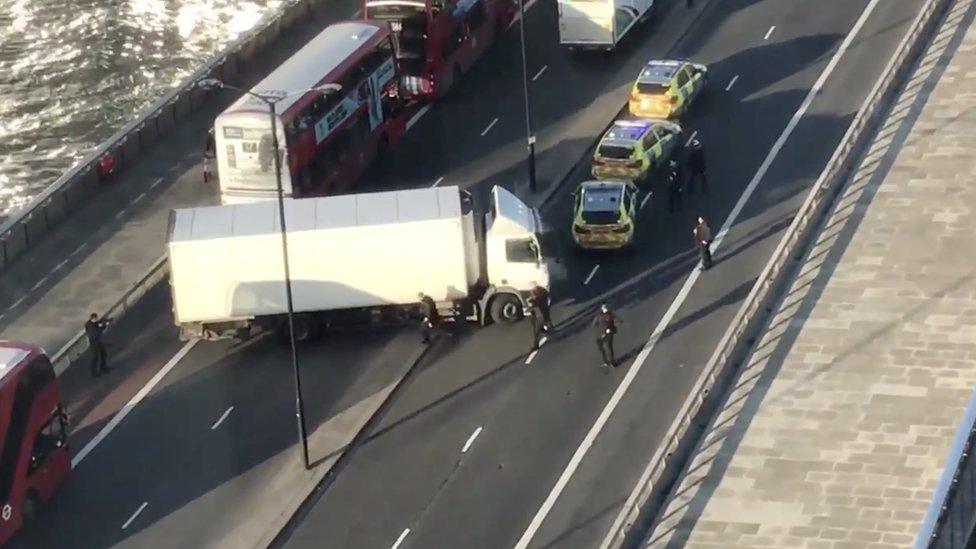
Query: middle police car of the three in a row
(632, 149)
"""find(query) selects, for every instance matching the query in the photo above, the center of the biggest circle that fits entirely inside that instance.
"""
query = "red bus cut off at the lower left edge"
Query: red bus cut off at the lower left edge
(35, 459)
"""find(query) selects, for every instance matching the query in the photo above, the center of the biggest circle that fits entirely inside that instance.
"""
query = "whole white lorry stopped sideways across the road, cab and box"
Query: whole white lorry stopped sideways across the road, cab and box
(352, 258)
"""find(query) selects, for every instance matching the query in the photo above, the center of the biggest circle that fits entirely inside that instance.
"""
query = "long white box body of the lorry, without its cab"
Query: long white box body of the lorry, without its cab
(345, 252)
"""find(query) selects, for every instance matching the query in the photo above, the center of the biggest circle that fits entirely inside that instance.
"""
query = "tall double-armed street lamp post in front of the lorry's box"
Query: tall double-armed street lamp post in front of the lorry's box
(271, 101)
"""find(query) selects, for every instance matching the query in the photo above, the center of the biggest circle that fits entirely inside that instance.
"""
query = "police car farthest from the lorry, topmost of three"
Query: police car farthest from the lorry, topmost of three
(665, 89)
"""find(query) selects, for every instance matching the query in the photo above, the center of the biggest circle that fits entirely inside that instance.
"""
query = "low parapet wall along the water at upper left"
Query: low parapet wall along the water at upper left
(28, 226)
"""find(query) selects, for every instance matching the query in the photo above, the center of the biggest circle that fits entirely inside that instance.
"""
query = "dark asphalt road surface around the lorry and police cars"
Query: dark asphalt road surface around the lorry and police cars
(197, 481)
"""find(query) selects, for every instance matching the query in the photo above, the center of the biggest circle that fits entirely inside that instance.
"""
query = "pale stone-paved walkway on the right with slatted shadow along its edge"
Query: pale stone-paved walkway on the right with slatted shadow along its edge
(837, 431)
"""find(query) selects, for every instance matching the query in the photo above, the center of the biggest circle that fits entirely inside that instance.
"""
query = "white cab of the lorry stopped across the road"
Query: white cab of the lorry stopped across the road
(513, 253)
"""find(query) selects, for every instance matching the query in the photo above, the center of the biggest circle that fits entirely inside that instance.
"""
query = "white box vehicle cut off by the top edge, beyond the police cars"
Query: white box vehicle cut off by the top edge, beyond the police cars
(599, 24)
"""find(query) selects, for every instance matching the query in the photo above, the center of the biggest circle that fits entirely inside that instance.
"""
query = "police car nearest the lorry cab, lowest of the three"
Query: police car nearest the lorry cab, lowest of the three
(604, 213)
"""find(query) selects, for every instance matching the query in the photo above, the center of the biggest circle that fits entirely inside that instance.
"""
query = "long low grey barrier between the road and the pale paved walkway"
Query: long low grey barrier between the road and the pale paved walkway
(666, 465)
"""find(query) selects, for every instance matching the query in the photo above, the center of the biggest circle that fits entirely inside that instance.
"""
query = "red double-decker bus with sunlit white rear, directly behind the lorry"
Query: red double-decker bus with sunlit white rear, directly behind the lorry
(329, 138)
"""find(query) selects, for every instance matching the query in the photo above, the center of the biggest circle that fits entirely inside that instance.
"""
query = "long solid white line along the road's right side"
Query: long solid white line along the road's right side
(618, 394)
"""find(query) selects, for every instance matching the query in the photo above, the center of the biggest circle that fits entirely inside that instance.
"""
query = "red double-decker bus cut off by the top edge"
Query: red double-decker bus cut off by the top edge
(437, 40)
